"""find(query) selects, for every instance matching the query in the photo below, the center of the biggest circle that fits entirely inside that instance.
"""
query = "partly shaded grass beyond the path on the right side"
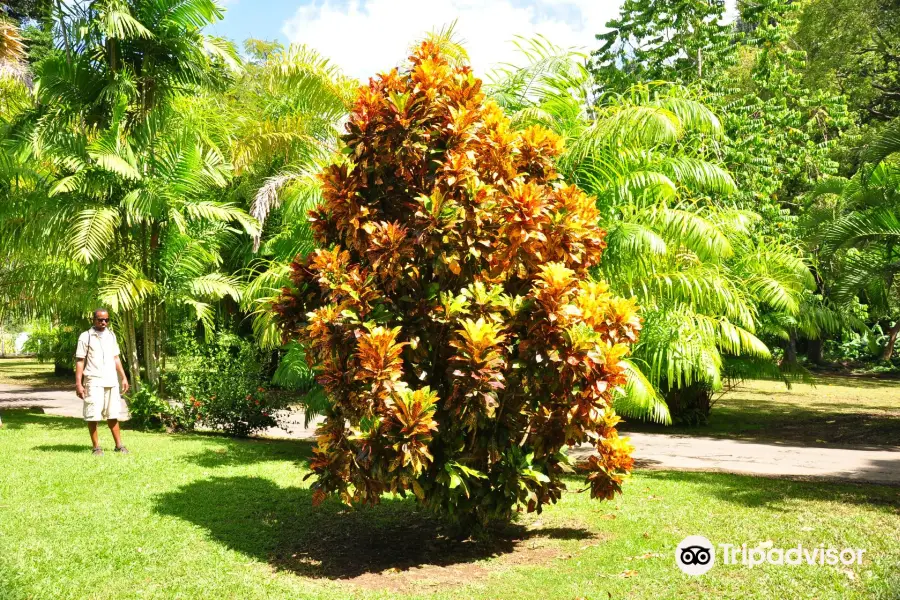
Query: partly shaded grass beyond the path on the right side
(835, 412)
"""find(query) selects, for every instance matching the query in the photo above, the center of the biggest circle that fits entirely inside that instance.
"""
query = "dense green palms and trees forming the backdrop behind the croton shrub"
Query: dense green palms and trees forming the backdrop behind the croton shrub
(745, 172)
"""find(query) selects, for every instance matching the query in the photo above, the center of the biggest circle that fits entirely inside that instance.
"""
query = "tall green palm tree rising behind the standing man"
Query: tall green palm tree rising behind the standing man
(115, 170)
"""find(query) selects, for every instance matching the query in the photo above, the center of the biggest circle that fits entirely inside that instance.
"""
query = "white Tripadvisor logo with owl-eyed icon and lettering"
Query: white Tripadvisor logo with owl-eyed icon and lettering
(696, 555)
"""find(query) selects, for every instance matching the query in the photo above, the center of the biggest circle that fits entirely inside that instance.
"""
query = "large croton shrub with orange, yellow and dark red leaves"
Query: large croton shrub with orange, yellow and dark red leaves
(450, 311)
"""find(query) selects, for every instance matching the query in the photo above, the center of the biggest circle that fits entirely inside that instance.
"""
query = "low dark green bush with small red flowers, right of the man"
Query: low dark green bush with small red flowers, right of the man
(223, 384)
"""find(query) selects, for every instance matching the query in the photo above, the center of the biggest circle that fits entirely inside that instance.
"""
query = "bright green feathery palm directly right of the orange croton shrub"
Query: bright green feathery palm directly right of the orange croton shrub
(694, 259)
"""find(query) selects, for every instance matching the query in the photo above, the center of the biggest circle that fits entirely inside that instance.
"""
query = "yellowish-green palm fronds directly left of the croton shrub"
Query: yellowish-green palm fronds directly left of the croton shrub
(289, 108)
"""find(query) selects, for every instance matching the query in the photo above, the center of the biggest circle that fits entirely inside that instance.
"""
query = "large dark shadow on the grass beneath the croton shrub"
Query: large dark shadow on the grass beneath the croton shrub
(280, 526)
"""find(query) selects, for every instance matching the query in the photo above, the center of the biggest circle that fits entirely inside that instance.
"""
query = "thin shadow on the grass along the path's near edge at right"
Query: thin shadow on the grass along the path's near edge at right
(762, 492)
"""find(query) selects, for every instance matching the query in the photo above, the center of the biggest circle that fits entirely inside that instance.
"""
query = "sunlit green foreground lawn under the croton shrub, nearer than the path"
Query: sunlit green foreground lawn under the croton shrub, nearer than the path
(191, 516)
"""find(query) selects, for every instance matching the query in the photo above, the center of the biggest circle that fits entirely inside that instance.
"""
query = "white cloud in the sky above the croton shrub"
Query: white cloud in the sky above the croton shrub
(367, 37)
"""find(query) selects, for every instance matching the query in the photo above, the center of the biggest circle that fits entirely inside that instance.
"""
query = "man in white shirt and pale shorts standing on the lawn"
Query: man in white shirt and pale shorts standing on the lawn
(96, 365)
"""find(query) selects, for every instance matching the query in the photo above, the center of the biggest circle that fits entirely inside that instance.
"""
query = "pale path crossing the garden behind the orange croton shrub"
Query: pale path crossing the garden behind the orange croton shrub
(652, 450)
